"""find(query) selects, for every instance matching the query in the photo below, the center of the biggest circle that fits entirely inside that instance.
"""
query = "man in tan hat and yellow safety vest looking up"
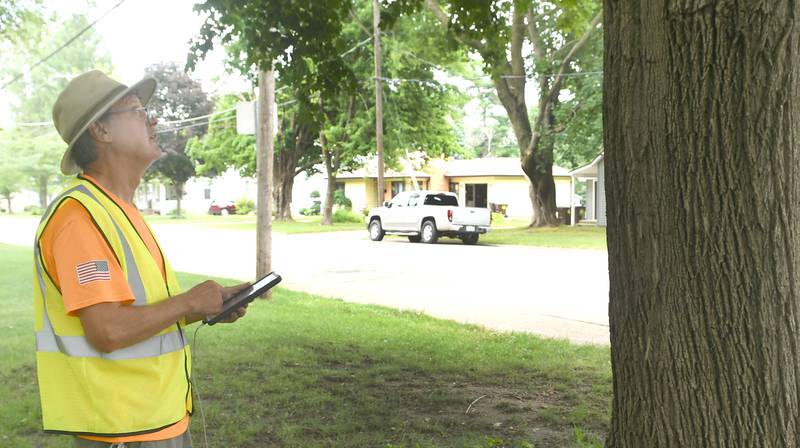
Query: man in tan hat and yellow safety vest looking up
(113, 362)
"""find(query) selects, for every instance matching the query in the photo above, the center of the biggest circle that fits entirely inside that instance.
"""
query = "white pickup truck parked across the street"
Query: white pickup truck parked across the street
(427, 215)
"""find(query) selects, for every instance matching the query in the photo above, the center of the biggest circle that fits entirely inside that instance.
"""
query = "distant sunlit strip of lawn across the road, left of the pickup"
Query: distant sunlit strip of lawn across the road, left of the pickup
(304, 224)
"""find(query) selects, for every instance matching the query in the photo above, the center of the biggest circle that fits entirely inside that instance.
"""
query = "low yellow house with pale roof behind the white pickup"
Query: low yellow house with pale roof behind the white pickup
(489, 182)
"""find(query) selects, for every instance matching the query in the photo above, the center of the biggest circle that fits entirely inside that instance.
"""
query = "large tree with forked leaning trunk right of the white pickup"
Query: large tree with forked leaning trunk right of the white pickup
(498, 31)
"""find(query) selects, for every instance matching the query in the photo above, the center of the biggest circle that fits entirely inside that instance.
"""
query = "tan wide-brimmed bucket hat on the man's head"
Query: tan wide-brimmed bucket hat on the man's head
(85, 99)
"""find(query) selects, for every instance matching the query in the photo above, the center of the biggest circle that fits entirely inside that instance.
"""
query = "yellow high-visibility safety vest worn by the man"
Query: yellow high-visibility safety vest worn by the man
(138, 389)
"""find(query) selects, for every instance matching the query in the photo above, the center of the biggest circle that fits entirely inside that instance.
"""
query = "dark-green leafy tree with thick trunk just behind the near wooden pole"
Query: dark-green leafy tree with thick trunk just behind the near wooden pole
(302, 41)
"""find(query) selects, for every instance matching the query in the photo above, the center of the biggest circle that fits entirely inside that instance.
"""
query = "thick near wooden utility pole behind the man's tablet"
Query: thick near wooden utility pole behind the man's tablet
(264, 159)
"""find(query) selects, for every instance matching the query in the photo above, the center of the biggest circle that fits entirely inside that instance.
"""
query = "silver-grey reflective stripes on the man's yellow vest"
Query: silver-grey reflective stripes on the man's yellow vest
(79, 346)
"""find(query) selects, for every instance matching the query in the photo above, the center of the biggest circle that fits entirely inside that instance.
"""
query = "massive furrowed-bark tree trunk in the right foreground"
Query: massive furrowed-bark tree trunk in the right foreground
(701, 107)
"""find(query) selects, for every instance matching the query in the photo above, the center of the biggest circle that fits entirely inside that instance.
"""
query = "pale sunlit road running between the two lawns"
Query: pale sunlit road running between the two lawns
(559, 293)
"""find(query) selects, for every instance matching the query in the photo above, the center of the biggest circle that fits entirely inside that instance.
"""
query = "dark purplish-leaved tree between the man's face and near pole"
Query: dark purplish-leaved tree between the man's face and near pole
(178, 97)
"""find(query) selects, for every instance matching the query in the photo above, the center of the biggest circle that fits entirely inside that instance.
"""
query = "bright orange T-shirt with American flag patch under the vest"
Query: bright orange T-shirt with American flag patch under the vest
(85, 269)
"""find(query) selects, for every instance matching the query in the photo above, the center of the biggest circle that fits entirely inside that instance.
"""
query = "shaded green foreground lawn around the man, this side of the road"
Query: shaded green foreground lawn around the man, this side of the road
(305, 371)
